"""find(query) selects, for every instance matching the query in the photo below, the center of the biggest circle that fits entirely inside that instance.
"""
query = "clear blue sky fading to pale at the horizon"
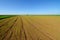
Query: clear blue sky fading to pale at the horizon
(29, 7)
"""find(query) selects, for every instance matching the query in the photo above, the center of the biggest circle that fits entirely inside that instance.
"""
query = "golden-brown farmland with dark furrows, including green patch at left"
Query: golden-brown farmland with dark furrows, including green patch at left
(30, 28)
